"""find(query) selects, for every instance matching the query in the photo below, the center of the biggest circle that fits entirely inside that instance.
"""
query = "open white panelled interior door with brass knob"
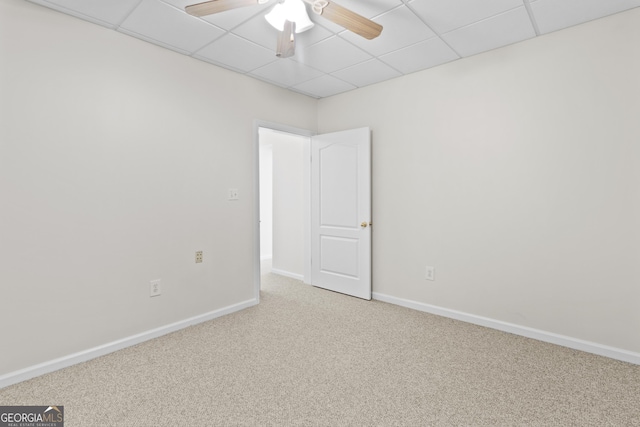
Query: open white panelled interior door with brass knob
(341, 212)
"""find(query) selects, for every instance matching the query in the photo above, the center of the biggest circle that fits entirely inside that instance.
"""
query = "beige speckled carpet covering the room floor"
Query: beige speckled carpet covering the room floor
(309, 357)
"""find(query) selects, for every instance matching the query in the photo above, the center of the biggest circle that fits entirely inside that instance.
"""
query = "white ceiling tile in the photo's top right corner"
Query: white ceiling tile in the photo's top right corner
(552, 15)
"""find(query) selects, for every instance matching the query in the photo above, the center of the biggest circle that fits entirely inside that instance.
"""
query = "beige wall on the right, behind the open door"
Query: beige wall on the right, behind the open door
(516, 173)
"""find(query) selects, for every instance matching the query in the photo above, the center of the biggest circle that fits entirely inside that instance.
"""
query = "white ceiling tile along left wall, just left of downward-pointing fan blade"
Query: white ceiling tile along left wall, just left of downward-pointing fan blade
(236, 53)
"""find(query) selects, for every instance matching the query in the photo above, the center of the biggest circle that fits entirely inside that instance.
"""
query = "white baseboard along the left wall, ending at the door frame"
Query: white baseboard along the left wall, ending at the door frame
(83, 356)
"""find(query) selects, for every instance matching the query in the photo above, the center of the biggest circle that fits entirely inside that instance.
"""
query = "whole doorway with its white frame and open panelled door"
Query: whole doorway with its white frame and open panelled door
(334, 213)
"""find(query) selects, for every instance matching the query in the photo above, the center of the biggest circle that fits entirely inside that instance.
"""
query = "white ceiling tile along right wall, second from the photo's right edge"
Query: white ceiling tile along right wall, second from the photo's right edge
(501, 30)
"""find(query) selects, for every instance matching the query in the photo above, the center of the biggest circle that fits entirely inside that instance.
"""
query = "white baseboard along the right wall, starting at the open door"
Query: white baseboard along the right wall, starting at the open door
(565, 341)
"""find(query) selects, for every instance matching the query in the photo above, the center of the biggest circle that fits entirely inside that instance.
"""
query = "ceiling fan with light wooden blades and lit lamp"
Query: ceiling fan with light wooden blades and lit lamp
(290, 17)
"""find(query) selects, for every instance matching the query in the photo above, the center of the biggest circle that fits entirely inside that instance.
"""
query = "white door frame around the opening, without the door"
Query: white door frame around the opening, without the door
(257, 124)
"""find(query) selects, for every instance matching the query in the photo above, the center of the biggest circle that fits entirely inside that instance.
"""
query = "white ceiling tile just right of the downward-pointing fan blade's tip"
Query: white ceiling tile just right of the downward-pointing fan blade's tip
(331, 55)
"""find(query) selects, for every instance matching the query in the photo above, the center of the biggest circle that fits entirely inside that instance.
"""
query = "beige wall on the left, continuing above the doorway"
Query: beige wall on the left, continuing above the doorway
(115, 160)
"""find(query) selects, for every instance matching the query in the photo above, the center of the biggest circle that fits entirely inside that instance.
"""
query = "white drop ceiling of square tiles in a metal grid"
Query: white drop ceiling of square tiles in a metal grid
(417, 34)
